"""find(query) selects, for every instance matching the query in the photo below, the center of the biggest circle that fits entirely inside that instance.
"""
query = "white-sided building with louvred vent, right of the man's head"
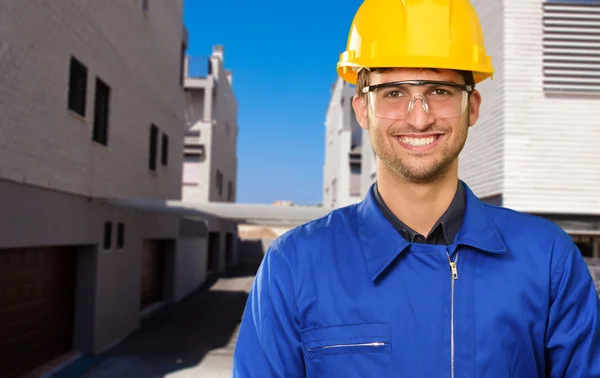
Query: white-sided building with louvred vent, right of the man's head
(534, 148)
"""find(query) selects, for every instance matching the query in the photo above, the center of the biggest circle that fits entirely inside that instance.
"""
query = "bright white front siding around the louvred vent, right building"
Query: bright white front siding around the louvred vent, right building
(551, 140)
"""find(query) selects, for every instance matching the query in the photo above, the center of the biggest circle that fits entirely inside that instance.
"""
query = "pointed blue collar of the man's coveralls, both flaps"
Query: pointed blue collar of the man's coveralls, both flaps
(381, 243)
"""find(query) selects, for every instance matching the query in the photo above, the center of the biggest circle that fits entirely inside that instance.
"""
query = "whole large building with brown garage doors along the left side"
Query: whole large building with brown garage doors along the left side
(92, 110)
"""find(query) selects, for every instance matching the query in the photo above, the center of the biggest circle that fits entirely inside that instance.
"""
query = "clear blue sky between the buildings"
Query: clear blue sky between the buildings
(283, 57)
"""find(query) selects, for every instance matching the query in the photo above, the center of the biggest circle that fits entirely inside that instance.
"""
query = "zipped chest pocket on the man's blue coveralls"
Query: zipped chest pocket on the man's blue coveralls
(349, 350)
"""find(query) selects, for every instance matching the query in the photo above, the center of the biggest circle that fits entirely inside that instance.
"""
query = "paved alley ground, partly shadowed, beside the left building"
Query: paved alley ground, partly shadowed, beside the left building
(186, 340)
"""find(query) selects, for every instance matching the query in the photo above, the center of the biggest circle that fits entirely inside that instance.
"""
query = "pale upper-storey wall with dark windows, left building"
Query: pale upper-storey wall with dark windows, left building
(137, 53)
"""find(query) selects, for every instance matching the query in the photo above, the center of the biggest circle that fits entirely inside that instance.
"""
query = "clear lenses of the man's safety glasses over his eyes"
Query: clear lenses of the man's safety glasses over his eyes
(396, 102)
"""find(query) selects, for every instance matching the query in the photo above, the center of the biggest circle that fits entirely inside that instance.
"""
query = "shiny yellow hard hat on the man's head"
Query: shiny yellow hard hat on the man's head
(415, 33)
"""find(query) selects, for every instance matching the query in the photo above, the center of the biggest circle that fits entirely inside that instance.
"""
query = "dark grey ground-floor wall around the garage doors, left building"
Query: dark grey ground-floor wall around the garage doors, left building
(108, 280)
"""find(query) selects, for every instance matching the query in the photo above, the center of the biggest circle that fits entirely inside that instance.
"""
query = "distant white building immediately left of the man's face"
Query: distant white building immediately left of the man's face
(343, 149)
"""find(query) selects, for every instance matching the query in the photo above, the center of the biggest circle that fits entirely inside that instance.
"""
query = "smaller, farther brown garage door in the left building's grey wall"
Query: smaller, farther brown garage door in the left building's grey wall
(153, 258)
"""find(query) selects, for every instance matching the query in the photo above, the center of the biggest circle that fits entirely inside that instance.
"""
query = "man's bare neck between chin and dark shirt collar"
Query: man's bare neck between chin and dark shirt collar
(417, 205)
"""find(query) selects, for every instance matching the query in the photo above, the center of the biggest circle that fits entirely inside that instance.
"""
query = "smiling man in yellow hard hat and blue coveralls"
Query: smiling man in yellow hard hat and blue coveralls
(421, 279)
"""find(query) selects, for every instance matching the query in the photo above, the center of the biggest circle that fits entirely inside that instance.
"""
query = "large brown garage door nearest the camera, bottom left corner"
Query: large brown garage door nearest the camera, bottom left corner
(37, 295)
